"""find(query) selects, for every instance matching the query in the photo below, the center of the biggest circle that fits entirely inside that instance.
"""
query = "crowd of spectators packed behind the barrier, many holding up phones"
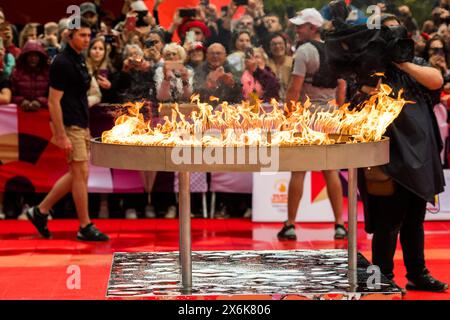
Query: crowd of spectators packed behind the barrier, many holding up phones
(205, 50)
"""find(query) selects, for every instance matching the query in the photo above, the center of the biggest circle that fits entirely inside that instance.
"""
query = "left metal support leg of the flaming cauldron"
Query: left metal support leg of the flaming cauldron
(185, 231)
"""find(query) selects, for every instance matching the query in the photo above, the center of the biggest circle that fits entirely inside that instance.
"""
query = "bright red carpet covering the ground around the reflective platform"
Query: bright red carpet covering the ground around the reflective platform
(33, 268)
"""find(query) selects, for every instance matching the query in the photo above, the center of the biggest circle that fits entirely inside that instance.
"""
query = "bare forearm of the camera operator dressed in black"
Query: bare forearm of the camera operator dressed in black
(429, 77)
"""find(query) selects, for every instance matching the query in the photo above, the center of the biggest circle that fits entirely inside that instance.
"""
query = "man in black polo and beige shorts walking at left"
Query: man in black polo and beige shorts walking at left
(69, 112)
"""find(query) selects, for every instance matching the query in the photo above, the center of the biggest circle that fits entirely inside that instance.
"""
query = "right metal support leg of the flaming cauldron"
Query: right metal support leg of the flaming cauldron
(352, 227)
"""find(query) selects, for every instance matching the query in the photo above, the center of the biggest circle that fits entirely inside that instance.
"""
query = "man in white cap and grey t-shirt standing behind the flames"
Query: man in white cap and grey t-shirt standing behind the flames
(306, 65)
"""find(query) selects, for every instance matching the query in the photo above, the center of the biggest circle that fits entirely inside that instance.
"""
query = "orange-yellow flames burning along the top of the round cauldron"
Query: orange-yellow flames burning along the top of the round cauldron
(245, 124)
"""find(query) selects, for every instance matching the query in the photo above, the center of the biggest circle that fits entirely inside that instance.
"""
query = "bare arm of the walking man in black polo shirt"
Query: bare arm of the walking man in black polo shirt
(54, 107)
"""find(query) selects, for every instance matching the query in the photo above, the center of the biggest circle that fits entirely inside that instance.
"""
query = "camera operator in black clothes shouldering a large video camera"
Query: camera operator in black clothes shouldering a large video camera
(395, 195)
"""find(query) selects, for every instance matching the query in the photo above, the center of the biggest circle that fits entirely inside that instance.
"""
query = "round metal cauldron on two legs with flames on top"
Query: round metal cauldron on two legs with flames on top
(354, 140)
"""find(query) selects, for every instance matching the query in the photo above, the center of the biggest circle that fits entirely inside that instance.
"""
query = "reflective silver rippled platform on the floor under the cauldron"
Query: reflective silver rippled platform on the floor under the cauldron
(293, 274)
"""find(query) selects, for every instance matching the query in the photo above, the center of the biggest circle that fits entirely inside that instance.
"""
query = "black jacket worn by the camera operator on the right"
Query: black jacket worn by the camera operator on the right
(415, 143)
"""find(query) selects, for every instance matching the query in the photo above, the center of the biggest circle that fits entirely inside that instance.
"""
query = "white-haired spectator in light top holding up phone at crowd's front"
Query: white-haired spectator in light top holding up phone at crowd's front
(173, 80)
